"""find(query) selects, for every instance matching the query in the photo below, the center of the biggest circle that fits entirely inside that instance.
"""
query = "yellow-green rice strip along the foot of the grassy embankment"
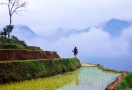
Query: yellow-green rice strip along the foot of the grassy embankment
(49, 83)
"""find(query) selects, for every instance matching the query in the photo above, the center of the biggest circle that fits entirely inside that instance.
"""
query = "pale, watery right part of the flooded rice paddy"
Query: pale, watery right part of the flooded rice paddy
(91, 78)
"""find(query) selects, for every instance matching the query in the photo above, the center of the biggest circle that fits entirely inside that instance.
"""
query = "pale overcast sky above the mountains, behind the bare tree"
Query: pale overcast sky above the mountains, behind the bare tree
(45, 16)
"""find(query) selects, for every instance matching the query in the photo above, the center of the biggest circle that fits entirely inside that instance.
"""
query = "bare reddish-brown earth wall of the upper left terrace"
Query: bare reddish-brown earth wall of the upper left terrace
(7, 55)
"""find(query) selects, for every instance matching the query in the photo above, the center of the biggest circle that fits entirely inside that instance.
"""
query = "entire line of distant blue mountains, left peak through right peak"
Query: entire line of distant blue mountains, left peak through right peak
(114, 27)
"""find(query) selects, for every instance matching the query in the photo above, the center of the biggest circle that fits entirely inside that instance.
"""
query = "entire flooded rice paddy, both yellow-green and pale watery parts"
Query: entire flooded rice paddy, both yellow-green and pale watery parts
(85, 78)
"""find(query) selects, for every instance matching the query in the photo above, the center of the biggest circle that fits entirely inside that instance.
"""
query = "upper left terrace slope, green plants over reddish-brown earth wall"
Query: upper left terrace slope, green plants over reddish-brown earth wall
(15, 49)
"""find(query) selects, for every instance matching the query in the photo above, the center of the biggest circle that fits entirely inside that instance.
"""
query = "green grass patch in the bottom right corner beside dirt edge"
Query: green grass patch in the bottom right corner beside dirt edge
(126, 82)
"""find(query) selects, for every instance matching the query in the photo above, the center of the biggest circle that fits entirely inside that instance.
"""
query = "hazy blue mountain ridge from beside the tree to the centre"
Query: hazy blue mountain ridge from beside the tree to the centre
(24, 32)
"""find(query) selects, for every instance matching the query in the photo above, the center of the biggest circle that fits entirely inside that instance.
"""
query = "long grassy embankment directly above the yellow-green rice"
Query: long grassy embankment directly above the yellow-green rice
(11, 71)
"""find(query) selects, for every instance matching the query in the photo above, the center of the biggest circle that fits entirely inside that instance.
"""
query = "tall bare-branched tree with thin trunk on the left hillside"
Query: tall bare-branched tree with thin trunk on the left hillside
(14, 7)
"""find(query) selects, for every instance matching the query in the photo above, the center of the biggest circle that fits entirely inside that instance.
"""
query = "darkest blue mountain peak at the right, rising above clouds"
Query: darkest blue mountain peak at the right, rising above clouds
(115, 26)
